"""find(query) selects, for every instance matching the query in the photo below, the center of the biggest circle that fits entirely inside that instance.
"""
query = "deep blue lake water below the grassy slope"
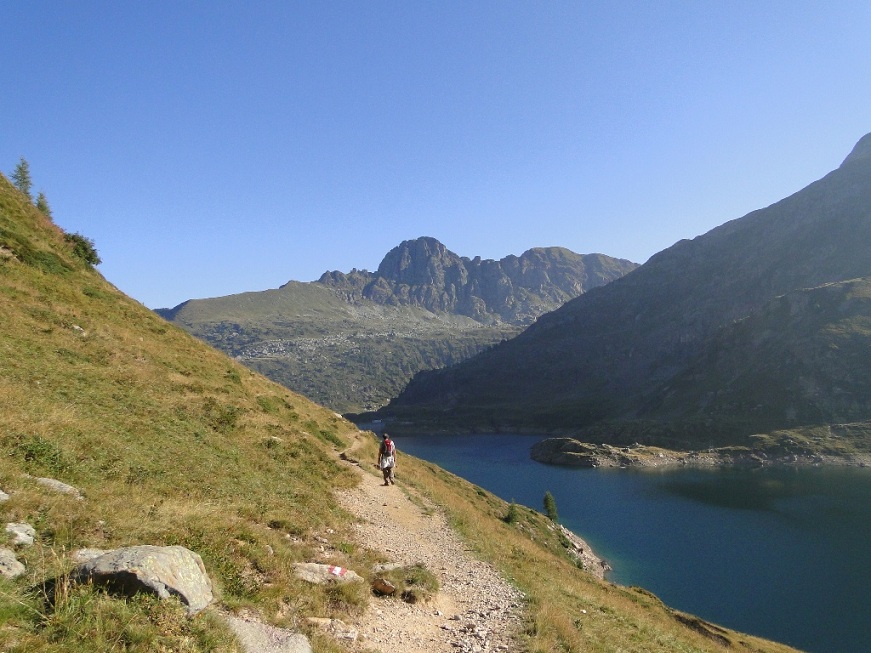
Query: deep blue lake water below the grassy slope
(780, 553)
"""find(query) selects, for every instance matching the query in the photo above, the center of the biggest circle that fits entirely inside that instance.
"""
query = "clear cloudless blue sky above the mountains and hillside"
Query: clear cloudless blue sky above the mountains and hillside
(210, 148)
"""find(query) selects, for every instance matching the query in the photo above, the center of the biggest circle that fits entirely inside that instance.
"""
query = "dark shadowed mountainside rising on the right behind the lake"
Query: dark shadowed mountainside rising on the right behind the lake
(761, 325)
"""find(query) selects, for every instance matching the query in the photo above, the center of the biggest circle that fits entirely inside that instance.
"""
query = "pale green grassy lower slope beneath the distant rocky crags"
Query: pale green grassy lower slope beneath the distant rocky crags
(294, 333)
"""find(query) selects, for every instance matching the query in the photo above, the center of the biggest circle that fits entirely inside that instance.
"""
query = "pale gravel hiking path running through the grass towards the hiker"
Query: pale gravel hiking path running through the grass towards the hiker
(475, 609)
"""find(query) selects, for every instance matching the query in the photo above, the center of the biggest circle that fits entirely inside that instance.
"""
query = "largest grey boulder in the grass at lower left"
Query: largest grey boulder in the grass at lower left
(165, 571)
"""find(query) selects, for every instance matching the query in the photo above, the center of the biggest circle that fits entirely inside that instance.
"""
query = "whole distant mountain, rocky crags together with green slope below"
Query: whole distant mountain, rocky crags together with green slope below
(352, 341)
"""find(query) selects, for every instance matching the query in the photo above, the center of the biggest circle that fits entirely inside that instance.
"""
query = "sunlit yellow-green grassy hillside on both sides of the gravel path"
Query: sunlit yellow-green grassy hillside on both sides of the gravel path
(171, 442)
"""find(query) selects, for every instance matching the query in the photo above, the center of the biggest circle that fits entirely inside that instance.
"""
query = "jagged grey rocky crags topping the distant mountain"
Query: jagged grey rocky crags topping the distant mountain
(516, 289)
